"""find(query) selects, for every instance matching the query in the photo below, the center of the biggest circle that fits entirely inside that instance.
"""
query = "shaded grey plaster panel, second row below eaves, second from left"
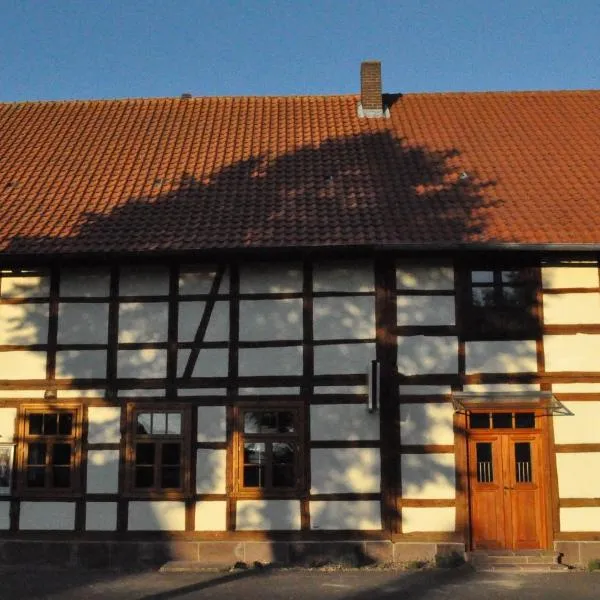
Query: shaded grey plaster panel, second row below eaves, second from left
(82, 323)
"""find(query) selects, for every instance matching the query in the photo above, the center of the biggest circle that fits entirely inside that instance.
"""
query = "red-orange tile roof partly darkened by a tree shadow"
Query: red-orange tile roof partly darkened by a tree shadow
(216, 173)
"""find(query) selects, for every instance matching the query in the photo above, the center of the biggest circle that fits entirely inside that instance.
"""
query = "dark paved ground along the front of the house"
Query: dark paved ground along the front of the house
(460, 584)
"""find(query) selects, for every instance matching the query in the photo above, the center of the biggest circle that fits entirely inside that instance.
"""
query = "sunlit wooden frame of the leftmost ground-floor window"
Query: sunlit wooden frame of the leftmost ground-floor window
(75, 439)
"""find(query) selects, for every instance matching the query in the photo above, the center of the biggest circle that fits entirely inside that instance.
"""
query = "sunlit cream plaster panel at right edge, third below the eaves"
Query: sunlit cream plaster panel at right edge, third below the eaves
(577, 352)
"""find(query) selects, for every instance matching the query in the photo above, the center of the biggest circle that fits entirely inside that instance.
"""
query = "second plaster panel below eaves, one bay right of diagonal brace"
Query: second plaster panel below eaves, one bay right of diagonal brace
(268, 320)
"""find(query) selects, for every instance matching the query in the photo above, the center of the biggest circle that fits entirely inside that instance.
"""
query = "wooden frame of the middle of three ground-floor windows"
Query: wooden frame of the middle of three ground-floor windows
(132, 437)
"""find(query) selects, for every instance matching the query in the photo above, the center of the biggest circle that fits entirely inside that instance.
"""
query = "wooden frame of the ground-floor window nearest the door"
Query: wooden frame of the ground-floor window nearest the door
(239, 438)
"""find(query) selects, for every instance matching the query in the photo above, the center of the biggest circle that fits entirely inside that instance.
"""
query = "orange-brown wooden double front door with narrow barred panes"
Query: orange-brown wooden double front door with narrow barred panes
(506, 486)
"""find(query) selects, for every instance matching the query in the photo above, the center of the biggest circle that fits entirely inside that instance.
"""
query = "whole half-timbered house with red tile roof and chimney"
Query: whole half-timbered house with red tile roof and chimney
(286, 327)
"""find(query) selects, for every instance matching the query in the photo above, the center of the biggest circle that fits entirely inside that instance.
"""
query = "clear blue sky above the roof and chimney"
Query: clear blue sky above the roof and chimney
(57, 49)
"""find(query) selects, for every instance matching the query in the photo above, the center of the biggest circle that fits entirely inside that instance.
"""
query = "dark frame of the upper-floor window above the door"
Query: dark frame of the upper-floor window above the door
(501, 320)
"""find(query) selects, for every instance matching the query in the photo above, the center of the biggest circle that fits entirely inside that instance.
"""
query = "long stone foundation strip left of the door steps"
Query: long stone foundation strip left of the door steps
(127, 555)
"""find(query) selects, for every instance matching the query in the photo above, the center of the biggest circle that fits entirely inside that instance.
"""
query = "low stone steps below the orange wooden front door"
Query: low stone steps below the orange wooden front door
(518, 560)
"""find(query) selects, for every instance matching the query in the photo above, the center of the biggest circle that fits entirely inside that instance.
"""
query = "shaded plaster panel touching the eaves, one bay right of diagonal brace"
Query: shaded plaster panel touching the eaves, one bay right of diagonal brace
(270, 278)
